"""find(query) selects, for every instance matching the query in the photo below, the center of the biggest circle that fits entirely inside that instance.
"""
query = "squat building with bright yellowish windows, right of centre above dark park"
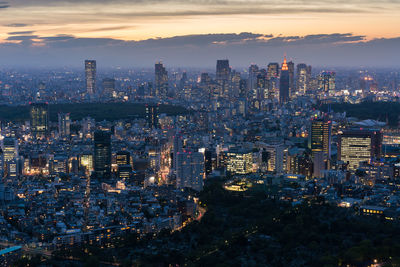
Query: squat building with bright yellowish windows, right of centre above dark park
(239, 161)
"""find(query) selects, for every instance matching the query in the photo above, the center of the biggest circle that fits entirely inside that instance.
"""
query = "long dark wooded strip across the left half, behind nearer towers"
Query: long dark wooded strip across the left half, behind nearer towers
(98, 111)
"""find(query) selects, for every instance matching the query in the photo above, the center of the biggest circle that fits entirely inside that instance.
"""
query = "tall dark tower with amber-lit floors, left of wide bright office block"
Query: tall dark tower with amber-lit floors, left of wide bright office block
(320, 137)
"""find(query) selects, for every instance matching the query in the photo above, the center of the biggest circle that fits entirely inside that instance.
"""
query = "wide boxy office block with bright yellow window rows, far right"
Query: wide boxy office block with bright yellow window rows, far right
(356, 146)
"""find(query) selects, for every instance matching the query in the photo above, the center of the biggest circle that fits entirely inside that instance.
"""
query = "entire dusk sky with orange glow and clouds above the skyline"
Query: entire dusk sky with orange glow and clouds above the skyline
(194, 33)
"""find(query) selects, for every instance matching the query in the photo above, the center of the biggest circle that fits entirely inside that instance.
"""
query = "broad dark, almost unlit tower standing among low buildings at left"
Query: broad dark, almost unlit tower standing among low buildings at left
(102, 154)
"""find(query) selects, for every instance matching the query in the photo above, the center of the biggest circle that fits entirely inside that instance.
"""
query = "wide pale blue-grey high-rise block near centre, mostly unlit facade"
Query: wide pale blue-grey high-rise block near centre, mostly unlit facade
(190, 171)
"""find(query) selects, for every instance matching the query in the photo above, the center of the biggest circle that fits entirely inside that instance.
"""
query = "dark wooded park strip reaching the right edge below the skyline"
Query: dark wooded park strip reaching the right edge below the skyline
(369, 110)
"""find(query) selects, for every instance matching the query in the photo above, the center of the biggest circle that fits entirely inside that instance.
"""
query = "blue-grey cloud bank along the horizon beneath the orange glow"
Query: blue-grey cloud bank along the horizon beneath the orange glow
(200, 50)
